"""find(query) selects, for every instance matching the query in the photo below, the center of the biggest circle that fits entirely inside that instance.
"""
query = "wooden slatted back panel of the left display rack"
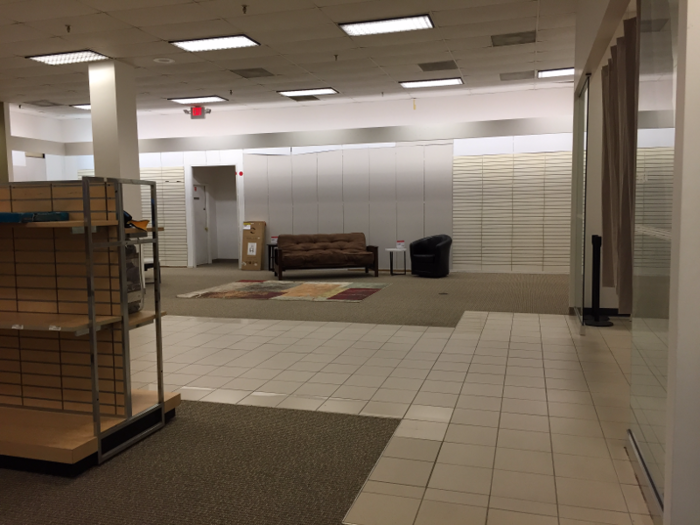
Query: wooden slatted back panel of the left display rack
(43, 271)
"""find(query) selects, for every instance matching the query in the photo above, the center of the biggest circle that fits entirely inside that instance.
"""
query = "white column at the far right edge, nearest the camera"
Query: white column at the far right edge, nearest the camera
(682, 505)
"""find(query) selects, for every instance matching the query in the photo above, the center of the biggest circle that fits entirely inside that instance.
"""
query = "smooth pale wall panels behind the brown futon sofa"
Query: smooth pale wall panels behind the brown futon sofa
(389, 193)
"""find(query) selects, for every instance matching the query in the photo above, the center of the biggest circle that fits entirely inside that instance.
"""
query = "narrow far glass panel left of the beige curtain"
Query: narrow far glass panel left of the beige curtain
(579, 198)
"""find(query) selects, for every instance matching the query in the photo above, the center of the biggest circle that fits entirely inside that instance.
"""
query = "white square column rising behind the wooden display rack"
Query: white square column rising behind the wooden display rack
(114, 127)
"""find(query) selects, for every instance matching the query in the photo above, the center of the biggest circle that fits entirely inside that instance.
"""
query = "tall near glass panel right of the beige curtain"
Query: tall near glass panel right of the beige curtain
(652, 254)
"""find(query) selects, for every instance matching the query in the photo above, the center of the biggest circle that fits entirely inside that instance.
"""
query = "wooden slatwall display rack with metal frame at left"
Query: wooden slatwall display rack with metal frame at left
(64, 325)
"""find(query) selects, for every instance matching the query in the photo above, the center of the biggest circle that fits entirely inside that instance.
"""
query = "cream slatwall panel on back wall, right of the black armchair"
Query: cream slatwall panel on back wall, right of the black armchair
(511, 213)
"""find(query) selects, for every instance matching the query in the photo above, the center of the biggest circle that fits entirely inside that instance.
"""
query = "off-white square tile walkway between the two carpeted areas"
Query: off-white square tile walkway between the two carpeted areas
(508, 419)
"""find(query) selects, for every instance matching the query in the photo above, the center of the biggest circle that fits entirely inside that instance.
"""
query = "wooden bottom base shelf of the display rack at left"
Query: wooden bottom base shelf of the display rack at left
(62, 437)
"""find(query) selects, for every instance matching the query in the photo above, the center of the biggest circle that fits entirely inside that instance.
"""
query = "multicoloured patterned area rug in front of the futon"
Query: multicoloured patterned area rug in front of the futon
(289, 291)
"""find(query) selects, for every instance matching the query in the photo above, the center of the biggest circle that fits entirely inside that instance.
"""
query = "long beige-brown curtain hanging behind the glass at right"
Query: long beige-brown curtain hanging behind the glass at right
(620, 101)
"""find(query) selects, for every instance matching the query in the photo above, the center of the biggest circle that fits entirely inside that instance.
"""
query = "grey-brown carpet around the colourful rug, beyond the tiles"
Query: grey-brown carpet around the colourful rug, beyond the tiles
(410, 300)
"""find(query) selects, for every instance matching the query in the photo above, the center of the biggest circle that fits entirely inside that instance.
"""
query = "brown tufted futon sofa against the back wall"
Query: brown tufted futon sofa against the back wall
(313, 252)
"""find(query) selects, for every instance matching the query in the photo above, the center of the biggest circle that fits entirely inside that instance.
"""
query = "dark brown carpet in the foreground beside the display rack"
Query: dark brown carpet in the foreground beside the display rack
(214, 464)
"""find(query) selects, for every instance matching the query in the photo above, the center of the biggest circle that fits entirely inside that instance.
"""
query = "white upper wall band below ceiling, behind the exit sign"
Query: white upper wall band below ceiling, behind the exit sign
(431, 112)
